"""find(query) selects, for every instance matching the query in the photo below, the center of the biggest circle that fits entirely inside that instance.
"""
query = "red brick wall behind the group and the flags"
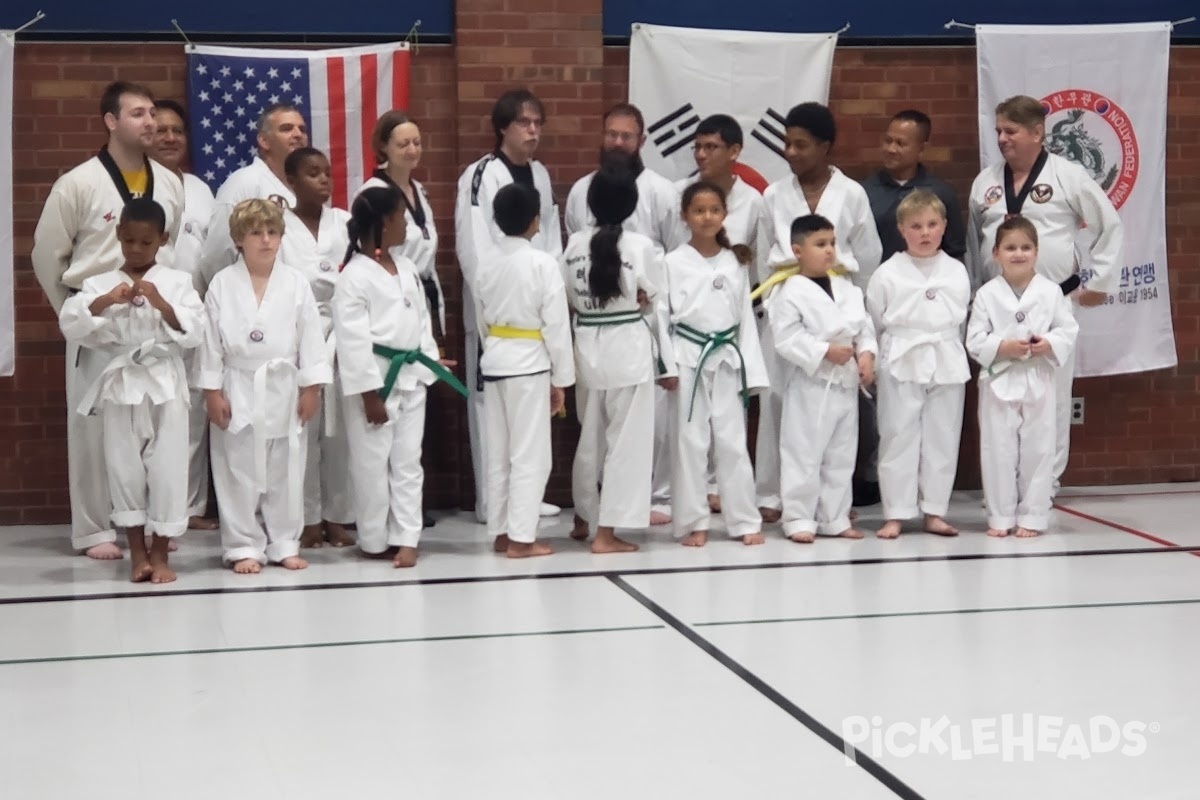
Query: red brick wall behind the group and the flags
(1139, 429)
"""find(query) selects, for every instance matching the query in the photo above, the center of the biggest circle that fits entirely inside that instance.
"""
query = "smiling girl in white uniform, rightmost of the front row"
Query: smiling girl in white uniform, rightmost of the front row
(1022, 333)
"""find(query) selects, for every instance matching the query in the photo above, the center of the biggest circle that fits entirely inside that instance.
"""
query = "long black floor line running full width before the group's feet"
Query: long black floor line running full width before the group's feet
(587, 574)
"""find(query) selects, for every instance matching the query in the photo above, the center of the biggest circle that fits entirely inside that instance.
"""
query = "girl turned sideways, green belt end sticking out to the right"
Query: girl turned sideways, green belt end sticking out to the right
(387, 357)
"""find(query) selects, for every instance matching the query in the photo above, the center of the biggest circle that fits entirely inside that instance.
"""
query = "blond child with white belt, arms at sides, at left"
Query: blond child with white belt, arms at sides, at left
(262, 366)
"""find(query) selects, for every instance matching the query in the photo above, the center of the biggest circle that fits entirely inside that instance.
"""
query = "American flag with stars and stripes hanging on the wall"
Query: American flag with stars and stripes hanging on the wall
(341, 94)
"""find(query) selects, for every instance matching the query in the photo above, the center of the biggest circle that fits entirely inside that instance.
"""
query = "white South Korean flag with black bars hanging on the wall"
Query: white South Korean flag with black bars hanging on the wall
(679, 76)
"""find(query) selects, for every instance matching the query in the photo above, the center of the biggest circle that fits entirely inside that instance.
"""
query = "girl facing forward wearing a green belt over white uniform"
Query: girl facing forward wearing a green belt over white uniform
(713, 363)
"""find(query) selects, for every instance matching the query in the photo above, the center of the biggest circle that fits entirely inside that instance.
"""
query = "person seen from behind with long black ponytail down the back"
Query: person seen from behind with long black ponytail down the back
(609, 285)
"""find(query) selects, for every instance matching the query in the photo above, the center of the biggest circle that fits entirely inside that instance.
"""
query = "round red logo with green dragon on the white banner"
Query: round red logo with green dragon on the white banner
(1109, 152)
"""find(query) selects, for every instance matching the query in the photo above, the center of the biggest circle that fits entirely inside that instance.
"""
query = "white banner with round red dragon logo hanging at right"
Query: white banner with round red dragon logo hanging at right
(1105, 91)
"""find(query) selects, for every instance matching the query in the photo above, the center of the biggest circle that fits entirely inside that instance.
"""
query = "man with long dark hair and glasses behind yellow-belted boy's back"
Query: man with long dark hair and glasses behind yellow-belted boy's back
(518, 121)
